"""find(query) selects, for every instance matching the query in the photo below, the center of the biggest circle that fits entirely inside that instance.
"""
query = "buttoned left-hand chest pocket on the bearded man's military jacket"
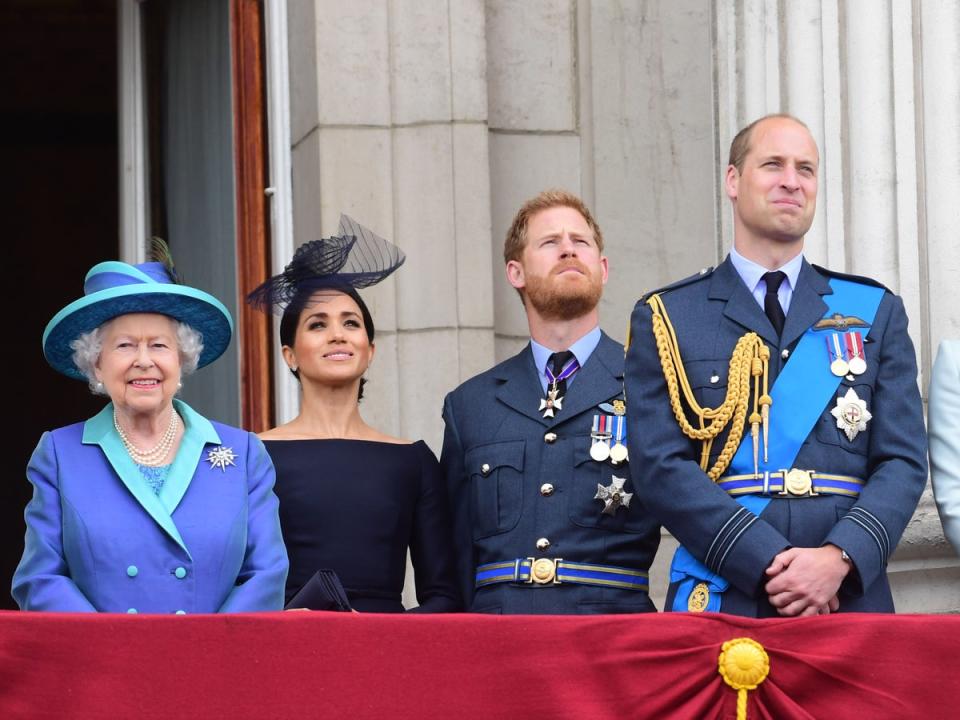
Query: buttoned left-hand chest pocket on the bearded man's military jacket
(496, 486)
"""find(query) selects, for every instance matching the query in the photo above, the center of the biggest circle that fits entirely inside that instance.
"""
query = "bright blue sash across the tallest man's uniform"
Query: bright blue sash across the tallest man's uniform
(804, 387)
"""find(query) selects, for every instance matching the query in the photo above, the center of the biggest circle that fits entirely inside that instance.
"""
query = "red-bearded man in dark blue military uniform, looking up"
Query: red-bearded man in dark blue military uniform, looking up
(545, 514)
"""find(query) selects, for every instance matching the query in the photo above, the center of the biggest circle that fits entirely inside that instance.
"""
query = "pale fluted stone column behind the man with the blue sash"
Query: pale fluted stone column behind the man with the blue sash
(877, 82)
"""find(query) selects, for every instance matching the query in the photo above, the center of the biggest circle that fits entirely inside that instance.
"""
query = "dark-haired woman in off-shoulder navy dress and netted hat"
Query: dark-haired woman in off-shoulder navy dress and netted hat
(352, 499)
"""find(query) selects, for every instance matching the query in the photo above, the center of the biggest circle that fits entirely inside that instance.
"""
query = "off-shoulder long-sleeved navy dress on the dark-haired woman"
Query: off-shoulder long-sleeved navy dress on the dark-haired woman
(355, 506)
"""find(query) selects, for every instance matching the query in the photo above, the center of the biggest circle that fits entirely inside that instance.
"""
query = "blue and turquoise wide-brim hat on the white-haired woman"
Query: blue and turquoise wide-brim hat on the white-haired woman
(115, 288)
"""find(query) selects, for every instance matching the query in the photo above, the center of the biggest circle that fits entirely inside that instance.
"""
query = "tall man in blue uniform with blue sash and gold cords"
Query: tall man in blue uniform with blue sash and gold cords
(782, 440)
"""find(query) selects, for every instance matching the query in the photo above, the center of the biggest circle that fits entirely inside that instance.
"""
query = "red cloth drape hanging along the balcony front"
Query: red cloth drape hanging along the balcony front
(301, 664)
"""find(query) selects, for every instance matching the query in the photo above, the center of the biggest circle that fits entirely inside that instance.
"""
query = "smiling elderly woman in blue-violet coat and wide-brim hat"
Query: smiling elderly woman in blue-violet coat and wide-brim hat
(147, 507)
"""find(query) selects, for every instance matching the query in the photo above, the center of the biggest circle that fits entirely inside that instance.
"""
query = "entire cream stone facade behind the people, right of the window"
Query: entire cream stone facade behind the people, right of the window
(431, 121)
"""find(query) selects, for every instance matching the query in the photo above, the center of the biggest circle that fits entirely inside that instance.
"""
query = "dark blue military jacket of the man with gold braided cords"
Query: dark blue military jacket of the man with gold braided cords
(710, 314)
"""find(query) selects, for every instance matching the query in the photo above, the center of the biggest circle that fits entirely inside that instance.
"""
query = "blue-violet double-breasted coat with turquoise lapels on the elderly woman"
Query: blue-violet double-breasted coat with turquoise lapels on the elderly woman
(99, 539)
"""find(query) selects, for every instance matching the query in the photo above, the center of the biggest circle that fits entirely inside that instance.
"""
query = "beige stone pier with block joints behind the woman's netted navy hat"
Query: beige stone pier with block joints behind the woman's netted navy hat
(389, 126)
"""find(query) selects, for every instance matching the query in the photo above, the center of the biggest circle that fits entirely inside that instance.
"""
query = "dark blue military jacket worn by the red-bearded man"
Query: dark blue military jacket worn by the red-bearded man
(499, 451)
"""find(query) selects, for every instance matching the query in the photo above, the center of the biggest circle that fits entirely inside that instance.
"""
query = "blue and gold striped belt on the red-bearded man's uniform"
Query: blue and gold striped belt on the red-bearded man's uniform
(550, 571)
